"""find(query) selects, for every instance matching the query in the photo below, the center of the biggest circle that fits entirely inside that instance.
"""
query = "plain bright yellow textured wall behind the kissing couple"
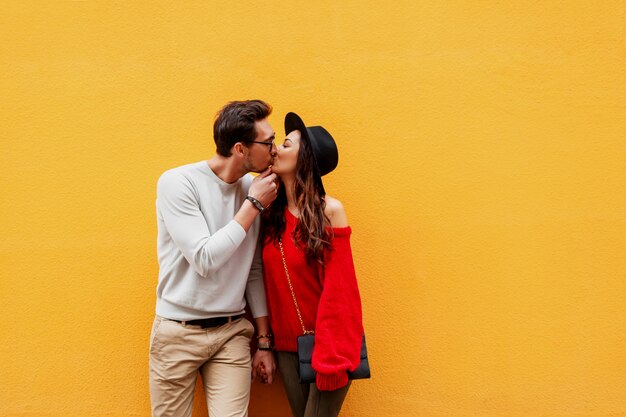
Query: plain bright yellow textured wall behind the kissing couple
(481, 164)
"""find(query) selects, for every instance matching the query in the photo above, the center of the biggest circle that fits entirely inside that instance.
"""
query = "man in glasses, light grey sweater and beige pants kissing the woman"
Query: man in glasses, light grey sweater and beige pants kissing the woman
(209, 257)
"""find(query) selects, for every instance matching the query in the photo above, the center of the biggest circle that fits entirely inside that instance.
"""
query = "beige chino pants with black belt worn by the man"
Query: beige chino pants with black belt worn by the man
(221, 355)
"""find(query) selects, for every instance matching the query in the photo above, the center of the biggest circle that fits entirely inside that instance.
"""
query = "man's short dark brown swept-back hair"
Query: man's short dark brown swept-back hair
(235, 123)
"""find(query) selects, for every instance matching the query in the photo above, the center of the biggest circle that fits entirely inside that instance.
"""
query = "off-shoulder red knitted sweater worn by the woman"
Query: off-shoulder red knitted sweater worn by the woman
(329, 302)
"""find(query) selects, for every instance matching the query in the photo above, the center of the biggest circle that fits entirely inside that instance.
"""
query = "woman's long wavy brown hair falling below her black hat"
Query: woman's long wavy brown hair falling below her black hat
(312, 233)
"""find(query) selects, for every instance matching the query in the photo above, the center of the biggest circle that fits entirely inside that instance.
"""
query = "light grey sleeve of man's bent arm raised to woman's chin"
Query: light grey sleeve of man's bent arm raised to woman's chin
(179, 207)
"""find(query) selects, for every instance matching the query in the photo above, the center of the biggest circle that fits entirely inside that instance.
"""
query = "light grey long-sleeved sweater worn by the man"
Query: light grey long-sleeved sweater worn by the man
(207, 262)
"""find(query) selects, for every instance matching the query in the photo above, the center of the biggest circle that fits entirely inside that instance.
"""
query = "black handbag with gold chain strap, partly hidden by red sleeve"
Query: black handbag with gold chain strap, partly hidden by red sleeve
(306, 344)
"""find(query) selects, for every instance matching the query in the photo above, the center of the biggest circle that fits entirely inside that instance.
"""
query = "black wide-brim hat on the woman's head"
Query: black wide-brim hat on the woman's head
(325, 153)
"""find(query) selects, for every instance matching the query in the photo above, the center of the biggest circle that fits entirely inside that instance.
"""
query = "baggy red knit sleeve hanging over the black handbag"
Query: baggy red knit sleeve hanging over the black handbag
(339, 327)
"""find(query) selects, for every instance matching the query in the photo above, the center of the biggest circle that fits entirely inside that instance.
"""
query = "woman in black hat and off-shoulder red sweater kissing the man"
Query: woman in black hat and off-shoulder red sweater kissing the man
(309, 272)
